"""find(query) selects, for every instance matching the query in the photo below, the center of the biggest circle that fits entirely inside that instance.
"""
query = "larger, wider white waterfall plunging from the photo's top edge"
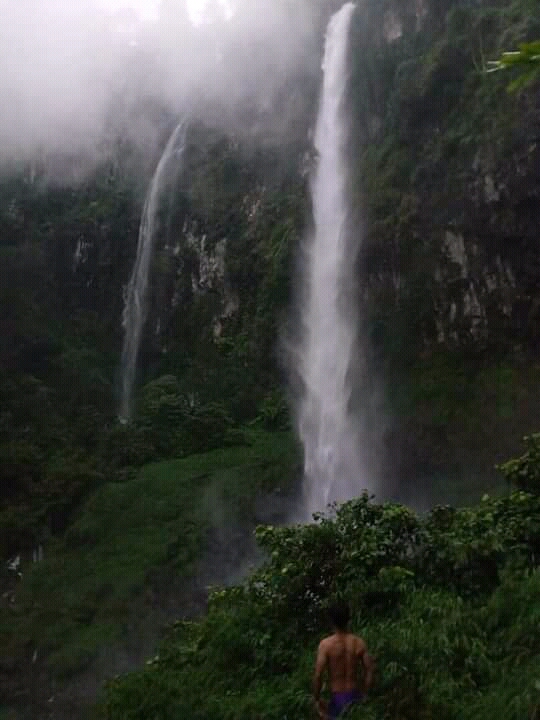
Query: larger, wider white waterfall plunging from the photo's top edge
(332, 469)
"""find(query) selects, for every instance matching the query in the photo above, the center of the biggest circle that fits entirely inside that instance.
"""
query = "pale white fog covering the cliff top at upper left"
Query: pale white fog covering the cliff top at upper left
(69, 72)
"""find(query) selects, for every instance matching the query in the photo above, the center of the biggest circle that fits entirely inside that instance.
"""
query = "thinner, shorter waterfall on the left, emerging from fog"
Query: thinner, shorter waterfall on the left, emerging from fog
(135, 307)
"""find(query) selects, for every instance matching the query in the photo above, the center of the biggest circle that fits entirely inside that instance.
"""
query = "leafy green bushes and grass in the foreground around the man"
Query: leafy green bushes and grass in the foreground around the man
(448, 604)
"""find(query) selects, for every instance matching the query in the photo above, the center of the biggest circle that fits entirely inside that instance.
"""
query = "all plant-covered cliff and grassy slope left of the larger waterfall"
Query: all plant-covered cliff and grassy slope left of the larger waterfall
(114, 535)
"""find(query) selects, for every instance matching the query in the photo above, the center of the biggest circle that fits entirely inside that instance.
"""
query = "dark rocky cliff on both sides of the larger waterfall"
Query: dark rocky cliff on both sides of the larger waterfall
(445, 178)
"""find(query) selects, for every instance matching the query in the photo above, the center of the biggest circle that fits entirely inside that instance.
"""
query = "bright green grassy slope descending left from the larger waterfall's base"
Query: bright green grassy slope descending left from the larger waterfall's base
(98, 584)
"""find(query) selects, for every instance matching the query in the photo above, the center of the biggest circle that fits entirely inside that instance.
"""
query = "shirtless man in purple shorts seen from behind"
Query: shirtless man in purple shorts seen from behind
(341, 655)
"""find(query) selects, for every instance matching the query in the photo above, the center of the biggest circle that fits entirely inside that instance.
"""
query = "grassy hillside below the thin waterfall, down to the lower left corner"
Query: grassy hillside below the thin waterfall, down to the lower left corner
(139, 554)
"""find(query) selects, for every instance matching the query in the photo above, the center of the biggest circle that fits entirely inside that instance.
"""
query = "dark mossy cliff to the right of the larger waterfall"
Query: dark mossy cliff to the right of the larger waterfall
(446, 179)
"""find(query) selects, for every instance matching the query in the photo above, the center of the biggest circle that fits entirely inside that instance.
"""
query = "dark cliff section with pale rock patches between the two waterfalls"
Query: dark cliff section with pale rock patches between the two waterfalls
(223, 265)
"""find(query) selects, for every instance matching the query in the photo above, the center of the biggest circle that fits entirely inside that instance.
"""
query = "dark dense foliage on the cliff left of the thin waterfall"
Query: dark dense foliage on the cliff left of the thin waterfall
(60, 249)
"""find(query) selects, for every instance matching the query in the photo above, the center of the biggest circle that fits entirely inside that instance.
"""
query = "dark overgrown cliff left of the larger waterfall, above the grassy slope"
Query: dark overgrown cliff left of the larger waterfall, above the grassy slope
(66, 253)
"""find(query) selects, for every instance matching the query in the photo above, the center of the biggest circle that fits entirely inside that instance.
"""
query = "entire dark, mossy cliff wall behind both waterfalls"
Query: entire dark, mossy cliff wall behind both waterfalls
(445, 177)
